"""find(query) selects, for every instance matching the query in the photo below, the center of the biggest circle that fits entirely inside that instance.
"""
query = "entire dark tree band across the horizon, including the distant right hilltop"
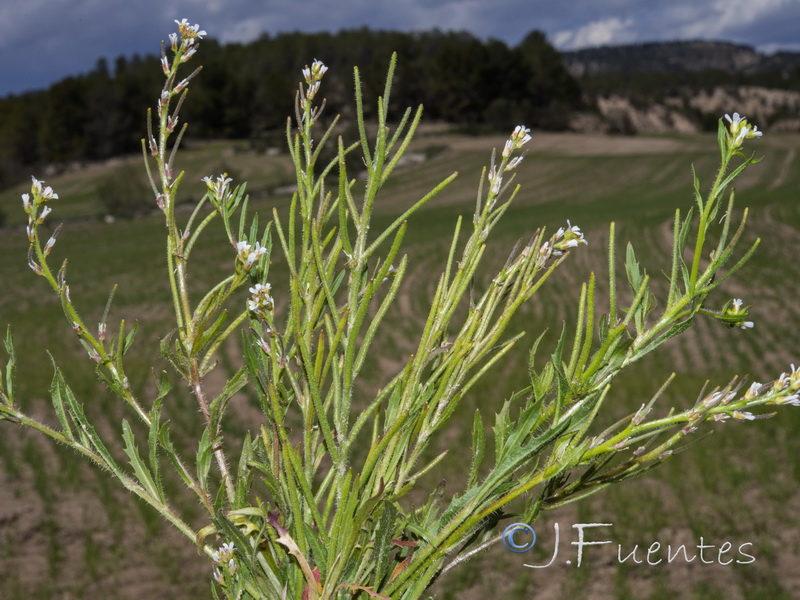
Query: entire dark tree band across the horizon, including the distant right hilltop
(246, 90)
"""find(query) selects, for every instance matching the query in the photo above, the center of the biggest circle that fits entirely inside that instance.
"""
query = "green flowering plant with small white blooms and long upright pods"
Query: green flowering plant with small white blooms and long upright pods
(320, 510)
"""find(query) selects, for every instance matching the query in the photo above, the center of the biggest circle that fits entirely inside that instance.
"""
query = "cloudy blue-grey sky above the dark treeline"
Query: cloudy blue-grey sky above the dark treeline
(42, 41)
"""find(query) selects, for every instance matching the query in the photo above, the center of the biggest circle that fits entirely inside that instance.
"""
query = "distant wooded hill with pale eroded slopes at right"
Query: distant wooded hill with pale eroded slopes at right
(683, 86)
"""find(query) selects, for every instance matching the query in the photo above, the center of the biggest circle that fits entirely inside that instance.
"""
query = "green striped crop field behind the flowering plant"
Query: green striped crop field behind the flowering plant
(68, 532)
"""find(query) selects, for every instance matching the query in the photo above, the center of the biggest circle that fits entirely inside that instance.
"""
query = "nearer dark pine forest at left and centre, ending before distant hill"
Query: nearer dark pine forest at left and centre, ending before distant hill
(246, 91)
